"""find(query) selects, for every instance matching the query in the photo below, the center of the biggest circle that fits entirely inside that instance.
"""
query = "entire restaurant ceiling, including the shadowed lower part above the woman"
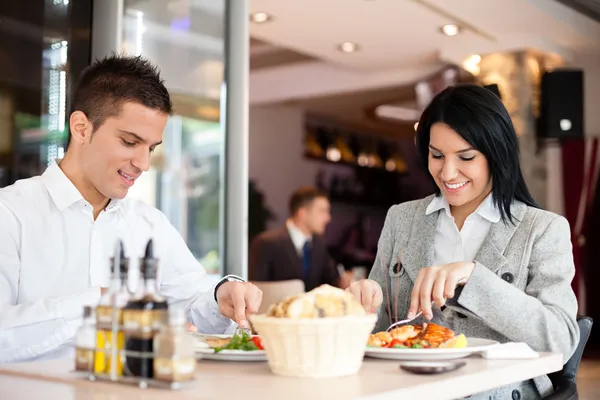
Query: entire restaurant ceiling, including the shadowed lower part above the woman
(400, 44)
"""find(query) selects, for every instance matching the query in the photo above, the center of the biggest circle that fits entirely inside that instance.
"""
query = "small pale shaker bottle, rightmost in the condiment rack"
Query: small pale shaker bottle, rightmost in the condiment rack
(174, 355)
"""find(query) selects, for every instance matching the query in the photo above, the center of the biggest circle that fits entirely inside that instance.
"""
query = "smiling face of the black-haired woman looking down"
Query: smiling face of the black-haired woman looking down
(461, 172)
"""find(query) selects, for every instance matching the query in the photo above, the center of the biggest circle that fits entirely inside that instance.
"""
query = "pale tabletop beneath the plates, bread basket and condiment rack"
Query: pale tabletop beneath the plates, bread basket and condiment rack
(376, 379)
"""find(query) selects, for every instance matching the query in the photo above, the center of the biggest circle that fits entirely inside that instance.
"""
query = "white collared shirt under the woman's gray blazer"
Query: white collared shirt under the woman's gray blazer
(452, 245)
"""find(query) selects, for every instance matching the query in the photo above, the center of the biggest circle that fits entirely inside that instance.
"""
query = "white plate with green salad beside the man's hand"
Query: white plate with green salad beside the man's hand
(237, 347)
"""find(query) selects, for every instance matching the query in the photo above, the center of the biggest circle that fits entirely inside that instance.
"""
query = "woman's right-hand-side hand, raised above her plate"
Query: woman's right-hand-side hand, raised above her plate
(437, 284)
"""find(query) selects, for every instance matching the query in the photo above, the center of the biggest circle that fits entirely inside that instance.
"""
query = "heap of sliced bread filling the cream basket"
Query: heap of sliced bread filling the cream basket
(323, 302)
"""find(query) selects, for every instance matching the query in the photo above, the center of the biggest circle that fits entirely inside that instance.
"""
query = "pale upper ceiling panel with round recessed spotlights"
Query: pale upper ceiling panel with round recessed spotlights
(394, 33)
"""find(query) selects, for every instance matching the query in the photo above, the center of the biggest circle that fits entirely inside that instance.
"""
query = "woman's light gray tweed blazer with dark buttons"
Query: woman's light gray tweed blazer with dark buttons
(520, 289)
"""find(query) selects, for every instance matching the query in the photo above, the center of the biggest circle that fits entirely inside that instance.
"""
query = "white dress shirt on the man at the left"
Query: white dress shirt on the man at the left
(54, 258)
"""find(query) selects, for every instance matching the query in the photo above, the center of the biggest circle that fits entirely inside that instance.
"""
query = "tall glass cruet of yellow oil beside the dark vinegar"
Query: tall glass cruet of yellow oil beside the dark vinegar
(110, 339)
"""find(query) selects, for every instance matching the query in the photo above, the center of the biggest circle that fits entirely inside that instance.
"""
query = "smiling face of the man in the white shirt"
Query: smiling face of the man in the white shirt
(119, 151)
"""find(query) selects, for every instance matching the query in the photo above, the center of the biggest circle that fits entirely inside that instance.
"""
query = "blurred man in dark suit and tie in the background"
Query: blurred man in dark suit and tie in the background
(298, 249)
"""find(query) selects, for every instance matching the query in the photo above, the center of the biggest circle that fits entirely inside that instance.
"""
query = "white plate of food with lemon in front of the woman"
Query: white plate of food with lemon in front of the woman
(424, 342)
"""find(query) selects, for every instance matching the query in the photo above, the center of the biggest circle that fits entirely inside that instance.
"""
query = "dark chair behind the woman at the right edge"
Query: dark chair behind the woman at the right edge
(565, 381)
